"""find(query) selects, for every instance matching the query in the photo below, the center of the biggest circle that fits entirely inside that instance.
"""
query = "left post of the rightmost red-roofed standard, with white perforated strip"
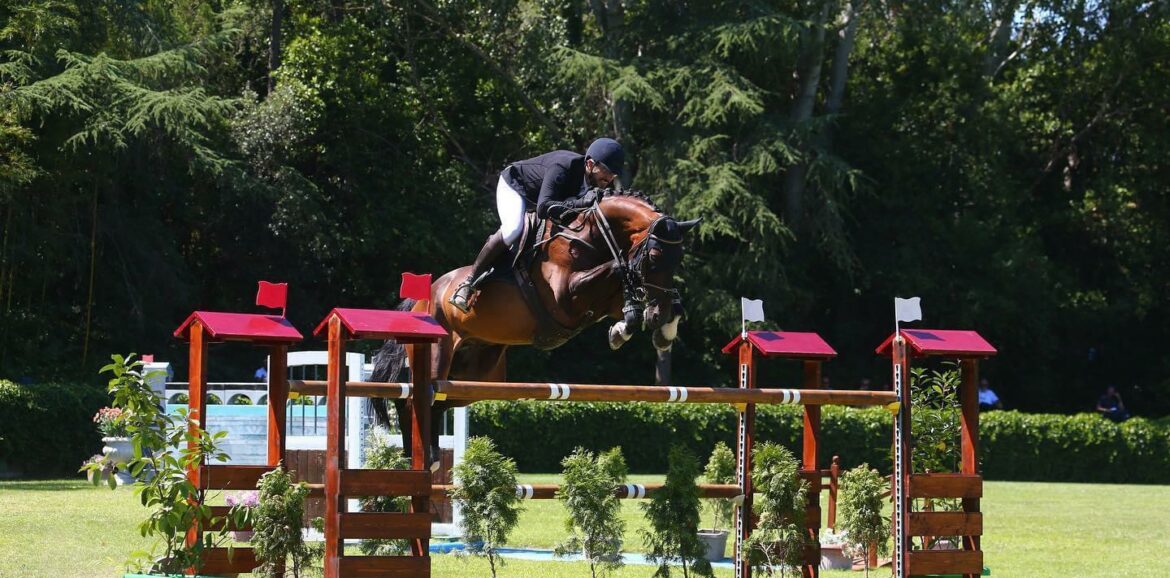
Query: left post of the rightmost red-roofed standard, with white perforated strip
(901, 478)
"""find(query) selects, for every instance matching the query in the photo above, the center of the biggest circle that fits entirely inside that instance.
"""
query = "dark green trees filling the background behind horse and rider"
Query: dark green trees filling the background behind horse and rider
(1007, 161)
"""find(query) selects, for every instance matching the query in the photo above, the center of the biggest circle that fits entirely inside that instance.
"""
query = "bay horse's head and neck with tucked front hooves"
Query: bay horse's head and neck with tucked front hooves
(651, 244)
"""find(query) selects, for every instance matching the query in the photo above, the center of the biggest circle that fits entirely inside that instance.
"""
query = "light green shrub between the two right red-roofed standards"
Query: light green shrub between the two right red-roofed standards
(862, 500)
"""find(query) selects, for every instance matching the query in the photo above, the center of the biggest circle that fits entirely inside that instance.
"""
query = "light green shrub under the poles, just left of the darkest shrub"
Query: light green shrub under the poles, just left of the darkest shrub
(595, 521)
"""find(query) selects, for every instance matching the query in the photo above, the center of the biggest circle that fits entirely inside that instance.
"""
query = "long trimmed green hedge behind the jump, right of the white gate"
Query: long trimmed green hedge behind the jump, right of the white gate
(1015, 446)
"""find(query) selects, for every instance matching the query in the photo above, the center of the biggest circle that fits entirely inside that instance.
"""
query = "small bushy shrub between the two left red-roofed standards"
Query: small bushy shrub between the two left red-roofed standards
(277, 521)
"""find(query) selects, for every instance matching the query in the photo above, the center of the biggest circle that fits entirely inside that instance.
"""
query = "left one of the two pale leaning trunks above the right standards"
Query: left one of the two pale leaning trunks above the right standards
(809, 72)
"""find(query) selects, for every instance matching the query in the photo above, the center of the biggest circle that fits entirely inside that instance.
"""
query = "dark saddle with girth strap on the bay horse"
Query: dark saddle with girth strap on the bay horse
(513, 267)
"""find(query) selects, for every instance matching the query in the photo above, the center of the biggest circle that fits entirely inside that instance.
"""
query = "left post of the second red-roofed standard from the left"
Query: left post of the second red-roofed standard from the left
(335, 449)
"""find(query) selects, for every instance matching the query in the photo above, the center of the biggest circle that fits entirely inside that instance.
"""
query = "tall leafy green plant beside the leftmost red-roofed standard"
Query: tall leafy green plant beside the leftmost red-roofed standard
(169, 446)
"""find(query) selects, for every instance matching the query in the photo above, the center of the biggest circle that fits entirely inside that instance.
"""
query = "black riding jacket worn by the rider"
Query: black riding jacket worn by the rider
(550, 178)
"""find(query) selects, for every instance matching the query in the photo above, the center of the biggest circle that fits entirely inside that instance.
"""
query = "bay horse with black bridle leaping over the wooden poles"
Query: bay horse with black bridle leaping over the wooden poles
(615, 260)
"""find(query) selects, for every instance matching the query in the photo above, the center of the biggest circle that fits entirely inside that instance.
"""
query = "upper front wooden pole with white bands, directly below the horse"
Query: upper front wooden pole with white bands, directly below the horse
(484, 391)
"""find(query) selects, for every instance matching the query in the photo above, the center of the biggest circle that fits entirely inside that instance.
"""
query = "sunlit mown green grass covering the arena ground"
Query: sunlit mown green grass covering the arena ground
(71, 529)
